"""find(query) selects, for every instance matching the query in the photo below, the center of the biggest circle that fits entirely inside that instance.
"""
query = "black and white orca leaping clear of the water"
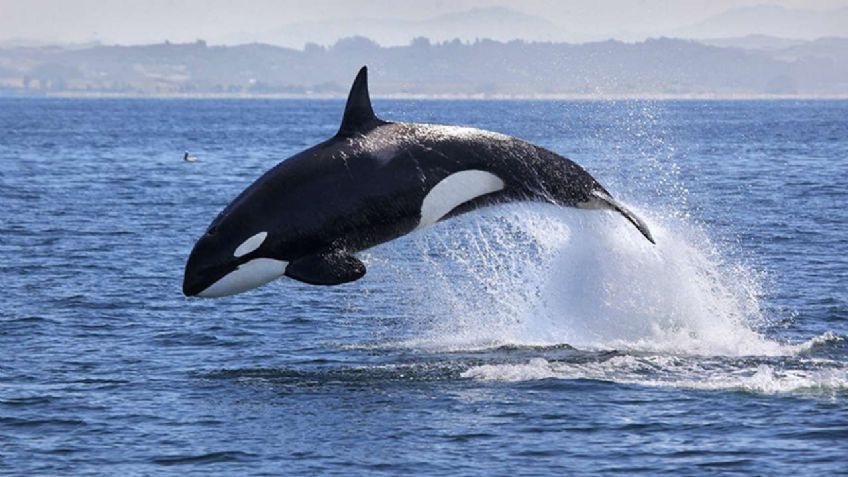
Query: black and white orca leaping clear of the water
(372, 182)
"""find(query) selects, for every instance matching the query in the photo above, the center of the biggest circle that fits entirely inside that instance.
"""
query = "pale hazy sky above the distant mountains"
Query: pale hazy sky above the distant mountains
(151, 21)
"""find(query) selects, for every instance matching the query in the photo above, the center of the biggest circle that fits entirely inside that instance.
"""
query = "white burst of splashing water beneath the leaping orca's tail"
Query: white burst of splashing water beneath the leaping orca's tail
(537, 275)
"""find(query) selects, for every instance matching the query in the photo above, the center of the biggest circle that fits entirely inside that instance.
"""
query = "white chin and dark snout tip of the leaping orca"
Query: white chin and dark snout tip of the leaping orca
(247, 276)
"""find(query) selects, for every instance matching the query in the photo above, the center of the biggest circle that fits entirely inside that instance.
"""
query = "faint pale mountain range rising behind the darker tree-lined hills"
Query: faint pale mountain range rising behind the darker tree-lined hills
(752, 27)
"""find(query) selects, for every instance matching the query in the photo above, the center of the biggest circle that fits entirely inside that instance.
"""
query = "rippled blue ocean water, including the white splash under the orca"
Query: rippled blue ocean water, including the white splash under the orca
(522, 339)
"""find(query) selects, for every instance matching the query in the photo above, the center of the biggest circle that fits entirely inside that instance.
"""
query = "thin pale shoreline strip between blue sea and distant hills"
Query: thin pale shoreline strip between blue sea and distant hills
(441, 97)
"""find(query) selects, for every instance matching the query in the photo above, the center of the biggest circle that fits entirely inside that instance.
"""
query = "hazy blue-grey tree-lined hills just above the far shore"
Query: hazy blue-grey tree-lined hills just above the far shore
(660, 67)
